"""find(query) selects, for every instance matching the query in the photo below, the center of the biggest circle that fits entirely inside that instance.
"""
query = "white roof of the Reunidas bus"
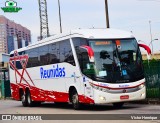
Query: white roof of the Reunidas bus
(83, 33)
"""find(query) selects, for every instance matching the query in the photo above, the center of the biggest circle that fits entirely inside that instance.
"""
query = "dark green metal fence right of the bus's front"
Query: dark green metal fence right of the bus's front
(152, 75)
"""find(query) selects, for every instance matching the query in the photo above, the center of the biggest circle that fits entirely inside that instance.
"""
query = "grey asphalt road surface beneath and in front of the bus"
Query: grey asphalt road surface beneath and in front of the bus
(96, 111)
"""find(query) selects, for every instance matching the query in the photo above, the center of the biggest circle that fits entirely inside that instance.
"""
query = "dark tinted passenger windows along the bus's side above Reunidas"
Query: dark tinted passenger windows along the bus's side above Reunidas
(48, 54)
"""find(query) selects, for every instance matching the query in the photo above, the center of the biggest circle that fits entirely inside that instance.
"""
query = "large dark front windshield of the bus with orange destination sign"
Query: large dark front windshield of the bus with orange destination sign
(115, 61)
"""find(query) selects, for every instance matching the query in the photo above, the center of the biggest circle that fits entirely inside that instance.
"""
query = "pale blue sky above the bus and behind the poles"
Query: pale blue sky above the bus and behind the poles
(129, 15)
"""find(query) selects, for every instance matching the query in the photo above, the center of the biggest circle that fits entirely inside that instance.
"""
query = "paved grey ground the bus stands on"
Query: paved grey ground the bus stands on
(15, 107)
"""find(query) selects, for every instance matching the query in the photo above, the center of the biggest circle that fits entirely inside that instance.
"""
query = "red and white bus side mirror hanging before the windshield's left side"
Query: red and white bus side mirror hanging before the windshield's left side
(89, 51)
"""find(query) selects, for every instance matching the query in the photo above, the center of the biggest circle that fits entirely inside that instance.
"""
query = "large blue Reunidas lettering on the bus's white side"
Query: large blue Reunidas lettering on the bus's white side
(54, 72)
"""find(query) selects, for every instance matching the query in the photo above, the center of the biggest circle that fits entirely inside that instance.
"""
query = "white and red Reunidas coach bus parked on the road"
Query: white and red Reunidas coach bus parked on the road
(85, 66)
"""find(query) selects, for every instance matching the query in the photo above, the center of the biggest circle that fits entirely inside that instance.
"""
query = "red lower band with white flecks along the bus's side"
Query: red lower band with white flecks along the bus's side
(38, 94)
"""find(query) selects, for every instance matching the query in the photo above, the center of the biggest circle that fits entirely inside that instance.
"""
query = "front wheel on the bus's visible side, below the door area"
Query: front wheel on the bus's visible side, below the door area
(75, 100)
